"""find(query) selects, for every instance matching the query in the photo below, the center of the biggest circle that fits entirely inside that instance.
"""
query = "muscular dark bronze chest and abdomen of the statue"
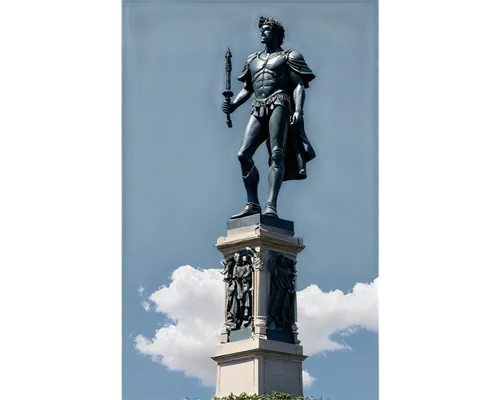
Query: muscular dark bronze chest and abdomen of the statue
(269, 73)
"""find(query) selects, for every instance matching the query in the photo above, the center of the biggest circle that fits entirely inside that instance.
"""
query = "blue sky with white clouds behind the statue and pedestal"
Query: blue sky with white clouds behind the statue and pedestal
(180, 182)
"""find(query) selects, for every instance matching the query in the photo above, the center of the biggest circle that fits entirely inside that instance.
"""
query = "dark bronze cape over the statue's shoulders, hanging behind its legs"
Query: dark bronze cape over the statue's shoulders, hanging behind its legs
(299, 150)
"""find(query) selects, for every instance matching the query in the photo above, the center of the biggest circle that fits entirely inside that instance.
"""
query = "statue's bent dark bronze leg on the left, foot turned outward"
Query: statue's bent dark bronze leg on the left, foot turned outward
(254, 136)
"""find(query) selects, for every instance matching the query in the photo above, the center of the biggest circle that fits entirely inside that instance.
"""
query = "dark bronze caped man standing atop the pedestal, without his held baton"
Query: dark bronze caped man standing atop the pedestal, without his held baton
(277, 79)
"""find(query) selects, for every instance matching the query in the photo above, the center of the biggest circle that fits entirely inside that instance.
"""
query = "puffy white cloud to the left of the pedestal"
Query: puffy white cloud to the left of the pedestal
(194, 304)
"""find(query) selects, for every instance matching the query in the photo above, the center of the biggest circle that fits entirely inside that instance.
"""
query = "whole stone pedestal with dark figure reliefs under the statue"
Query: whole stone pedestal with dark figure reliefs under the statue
(265, 355)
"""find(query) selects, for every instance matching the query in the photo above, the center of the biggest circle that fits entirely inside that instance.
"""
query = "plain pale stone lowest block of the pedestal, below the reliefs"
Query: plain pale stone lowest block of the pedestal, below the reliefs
(259, 366)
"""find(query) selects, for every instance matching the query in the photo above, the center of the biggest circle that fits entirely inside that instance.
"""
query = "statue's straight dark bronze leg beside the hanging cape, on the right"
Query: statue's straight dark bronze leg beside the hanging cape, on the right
(278, 132)
